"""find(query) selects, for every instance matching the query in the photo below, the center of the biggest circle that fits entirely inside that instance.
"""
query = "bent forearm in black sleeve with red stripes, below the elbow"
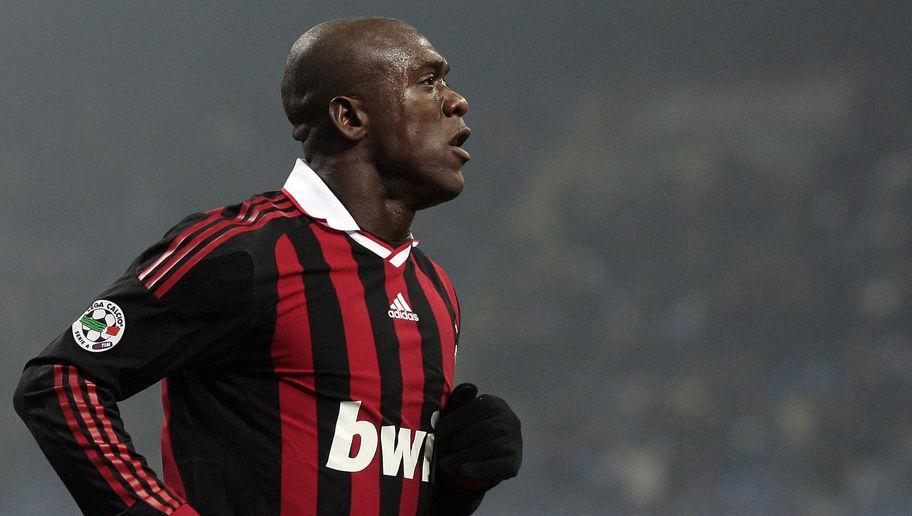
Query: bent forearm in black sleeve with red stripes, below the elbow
(78, 427)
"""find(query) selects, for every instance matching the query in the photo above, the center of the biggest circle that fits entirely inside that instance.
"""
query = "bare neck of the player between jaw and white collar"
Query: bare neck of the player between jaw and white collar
(361, 190)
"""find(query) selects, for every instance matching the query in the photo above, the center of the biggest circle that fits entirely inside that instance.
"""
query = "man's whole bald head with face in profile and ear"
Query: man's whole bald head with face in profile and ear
(369, 102)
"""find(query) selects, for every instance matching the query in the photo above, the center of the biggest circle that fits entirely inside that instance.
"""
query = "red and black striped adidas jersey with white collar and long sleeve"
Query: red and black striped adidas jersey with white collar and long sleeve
(301, 362)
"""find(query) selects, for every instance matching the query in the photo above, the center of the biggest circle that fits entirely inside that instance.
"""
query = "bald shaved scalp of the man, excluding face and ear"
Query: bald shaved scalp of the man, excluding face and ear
(351, 57)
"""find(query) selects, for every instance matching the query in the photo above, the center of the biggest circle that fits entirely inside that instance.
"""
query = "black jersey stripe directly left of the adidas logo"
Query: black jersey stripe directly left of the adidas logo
(373, 278)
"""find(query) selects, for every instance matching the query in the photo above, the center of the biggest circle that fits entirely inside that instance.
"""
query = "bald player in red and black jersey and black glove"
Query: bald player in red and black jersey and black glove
(305, 345)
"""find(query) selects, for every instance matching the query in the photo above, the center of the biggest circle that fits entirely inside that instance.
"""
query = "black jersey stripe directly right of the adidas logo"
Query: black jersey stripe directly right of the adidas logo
(432, 363)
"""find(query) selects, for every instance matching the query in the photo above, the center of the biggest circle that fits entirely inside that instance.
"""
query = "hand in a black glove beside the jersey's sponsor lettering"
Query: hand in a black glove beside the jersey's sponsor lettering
(479, 441)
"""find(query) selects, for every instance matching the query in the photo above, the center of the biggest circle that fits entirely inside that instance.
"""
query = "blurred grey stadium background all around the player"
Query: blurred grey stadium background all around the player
(684, 251)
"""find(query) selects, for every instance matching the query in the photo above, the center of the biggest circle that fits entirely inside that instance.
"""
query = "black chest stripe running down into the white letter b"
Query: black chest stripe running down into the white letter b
(330, 353)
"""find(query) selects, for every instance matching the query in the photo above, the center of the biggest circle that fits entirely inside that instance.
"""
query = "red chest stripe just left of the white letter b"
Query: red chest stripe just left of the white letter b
(292, 358)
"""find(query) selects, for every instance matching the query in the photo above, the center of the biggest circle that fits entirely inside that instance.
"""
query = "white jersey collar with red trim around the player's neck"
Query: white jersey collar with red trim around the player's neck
(311, 195)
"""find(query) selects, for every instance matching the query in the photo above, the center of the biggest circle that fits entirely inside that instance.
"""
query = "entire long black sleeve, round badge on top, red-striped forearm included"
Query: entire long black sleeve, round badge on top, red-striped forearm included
(127, 338)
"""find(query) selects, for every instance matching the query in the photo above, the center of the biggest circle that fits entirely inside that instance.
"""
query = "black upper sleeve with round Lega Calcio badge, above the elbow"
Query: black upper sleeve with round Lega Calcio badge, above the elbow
(127, 338)
